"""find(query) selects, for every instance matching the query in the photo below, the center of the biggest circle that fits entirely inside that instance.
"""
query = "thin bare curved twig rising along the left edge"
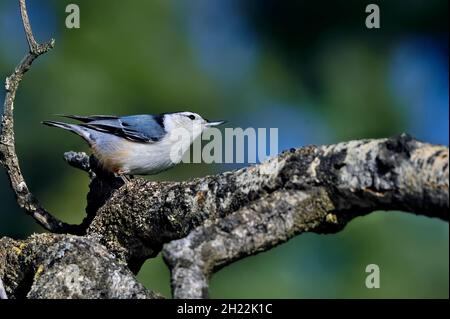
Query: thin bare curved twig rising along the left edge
(8, 156)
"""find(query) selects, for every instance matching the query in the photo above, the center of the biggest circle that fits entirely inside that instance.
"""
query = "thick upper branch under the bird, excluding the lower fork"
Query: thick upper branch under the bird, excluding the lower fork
(358, 177)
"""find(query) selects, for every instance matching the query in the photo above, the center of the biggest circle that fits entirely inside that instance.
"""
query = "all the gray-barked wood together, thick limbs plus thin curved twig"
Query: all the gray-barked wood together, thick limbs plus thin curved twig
(206, 223)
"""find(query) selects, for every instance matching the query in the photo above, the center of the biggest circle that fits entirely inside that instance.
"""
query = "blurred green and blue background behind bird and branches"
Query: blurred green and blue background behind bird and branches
(311, 69)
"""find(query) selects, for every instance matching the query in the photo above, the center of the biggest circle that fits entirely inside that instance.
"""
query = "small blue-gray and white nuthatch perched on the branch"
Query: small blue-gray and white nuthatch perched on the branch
(137, 144)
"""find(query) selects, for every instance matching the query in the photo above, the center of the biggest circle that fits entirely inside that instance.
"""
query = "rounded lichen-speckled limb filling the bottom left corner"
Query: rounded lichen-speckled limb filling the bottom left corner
(65, 266)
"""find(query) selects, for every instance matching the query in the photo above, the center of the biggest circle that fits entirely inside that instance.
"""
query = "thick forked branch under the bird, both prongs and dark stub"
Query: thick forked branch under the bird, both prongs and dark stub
(209, 222)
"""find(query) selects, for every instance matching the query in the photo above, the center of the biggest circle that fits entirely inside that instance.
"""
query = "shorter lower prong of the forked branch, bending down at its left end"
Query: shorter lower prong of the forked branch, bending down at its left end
(265, 223)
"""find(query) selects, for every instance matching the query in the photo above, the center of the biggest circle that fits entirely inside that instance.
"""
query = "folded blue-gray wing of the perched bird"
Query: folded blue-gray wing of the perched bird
(136, 128)
